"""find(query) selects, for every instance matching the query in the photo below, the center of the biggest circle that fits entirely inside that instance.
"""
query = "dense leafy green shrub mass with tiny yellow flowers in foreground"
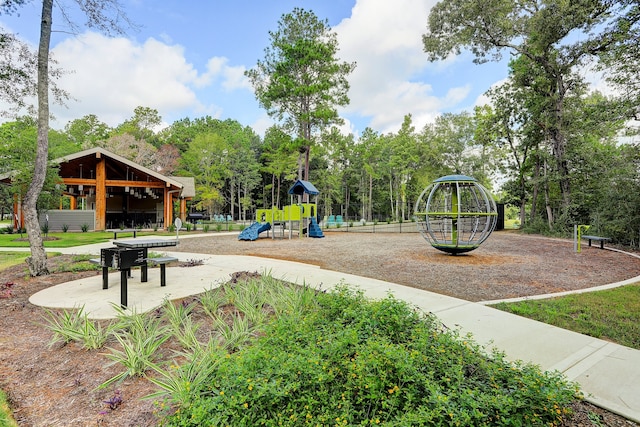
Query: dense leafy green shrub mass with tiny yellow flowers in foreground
(346, 360)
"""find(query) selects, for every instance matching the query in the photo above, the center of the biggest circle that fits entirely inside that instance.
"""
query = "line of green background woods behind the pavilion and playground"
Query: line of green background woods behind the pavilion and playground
(374, 176)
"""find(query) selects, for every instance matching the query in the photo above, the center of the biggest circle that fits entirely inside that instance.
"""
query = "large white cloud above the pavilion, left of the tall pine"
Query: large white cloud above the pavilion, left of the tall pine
(112, 76)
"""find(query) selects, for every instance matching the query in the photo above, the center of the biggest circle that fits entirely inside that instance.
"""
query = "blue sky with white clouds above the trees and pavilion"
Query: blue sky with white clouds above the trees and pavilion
(187, 58)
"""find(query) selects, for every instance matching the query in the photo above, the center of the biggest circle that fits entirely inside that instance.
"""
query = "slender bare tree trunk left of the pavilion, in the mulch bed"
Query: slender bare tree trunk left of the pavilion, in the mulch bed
(37, 262)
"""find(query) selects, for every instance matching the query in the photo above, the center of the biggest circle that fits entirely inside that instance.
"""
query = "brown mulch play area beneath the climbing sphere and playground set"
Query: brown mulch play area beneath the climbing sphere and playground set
(507, 265)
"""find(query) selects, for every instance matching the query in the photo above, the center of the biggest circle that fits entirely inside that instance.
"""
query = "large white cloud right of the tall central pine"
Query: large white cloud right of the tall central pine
(385, 40)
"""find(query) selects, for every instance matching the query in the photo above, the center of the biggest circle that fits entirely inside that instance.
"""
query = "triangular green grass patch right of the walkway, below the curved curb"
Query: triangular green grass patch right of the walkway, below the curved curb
(612, 315)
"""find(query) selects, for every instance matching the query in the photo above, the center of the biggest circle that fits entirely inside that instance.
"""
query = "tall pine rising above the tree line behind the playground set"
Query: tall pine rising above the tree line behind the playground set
(300, 80)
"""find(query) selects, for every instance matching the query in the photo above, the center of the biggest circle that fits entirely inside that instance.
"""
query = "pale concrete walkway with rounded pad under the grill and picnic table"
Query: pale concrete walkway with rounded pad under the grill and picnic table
(609, 374)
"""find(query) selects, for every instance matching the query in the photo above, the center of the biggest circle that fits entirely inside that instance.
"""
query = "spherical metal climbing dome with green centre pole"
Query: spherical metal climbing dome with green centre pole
(455, 214)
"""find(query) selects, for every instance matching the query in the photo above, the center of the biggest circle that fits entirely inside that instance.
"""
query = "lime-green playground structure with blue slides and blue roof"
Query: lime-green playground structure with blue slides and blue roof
(302, 215)
